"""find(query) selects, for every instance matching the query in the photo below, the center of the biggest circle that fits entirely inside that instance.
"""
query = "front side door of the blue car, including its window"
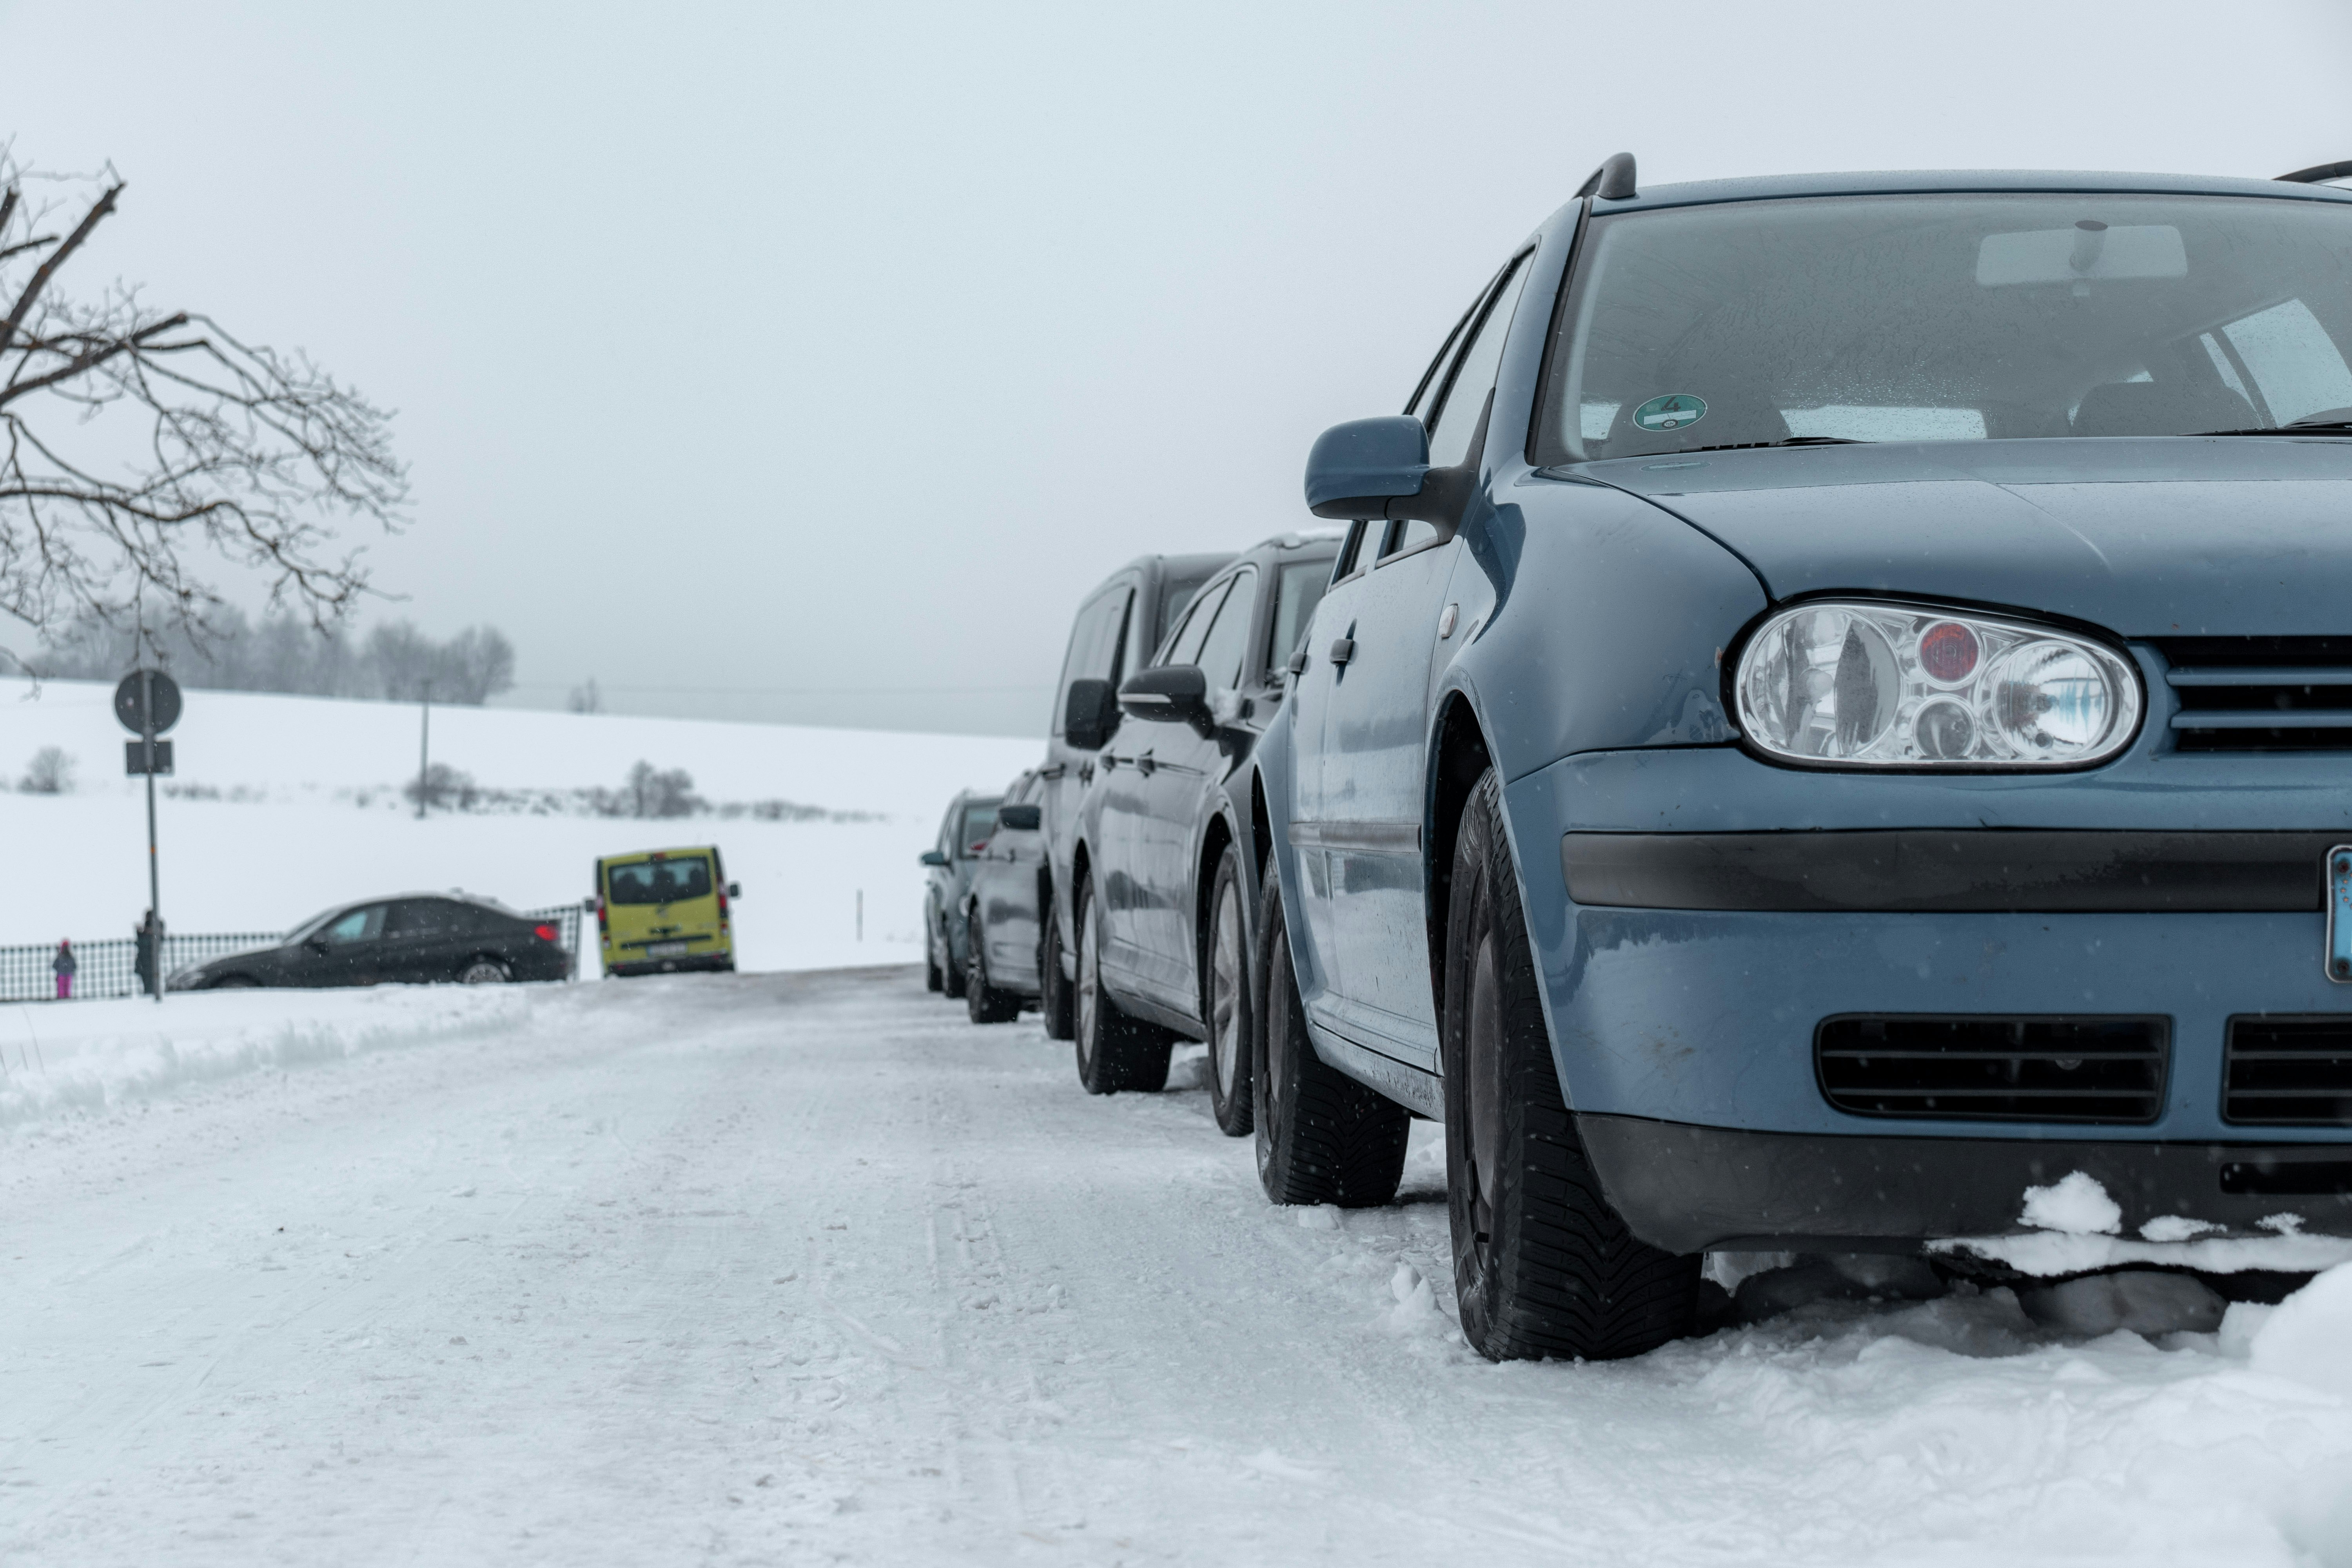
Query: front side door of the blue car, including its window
(1375, 732)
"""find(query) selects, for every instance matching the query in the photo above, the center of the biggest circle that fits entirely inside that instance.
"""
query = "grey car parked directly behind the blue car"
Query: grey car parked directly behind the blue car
(1168, 847)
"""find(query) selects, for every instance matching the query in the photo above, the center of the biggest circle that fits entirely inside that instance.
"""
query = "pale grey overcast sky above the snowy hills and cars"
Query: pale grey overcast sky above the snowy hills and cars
(810, 363)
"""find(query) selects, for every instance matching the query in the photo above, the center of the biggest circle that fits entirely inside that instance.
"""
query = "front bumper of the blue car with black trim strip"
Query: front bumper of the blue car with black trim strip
(1688, 1036)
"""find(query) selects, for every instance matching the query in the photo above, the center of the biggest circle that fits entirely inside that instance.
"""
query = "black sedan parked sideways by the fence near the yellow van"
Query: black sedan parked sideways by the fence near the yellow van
(415, 939)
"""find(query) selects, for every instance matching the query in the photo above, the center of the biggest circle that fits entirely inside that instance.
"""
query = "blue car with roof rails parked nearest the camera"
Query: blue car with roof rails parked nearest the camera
(1836, 709)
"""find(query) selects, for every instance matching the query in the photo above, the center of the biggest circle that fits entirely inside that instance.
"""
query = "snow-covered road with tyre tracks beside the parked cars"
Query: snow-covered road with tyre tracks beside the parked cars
(806, 1268)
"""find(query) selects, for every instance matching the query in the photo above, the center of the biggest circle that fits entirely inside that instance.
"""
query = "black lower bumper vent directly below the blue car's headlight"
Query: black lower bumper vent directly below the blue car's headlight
(1975, 1068)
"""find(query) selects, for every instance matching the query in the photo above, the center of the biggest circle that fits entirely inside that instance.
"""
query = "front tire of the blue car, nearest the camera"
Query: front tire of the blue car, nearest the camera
(1542, 1264)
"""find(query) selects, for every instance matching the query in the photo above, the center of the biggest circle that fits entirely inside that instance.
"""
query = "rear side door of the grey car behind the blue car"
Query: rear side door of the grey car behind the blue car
(1128, 836)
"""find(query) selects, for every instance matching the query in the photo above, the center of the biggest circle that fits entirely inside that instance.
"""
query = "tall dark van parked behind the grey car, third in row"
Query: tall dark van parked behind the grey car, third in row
(1116, 631)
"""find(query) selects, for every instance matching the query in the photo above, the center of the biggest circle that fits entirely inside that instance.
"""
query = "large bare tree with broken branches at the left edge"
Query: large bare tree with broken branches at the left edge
(135, 436)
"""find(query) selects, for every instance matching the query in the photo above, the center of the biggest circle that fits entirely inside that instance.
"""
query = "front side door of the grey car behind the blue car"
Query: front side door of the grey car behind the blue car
(1189, 768)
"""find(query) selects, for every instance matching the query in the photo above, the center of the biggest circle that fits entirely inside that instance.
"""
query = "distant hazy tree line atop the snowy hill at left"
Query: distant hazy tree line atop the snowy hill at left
(283, 655)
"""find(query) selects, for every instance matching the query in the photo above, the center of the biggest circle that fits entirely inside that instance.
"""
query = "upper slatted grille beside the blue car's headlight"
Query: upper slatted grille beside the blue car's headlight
(2261, 695)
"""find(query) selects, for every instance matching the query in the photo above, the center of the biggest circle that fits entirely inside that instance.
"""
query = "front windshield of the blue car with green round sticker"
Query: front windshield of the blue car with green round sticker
(1932, 319)
